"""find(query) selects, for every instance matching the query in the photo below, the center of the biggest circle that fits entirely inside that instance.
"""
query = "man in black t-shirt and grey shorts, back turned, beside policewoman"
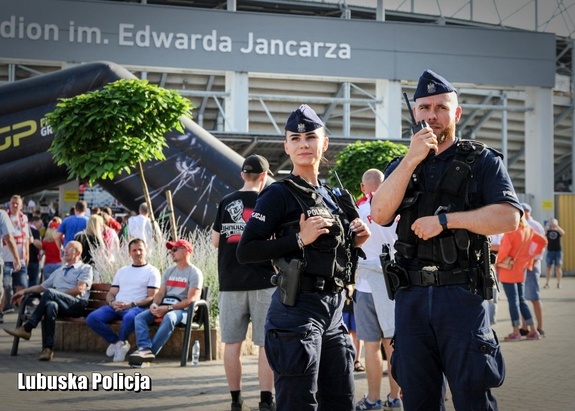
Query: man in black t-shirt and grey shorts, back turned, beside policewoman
(245, 289)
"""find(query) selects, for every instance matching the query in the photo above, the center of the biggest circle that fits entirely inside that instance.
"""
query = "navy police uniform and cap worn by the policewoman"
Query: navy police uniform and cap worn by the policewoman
(307, 344)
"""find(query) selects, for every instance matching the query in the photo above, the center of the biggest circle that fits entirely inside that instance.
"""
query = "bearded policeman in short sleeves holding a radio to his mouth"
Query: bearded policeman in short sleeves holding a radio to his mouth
(450, 195)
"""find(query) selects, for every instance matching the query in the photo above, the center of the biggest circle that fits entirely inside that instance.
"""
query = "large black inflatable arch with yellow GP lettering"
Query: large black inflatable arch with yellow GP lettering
(199, 169)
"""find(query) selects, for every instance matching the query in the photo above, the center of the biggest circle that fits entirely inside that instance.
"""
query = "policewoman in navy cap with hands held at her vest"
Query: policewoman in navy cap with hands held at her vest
(311, 235)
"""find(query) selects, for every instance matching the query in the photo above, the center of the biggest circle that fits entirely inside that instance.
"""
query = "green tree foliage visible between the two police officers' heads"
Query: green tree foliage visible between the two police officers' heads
(358, 157)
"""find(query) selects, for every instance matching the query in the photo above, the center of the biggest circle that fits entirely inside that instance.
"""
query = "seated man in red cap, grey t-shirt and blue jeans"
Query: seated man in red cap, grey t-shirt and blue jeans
(181, 286)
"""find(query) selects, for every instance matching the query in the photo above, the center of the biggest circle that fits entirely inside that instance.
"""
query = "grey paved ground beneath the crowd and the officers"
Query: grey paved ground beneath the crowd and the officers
(540, 374)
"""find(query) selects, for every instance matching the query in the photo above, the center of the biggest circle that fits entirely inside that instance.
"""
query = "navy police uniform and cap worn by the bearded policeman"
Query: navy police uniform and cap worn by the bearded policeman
(442, 326)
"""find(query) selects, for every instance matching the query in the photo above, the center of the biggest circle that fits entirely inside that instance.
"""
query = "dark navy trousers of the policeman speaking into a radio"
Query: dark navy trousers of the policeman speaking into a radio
(445, 331)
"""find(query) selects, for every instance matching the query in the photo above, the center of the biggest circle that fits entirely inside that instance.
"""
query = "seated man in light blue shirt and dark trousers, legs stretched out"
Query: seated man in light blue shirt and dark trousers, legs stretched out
(64, 294)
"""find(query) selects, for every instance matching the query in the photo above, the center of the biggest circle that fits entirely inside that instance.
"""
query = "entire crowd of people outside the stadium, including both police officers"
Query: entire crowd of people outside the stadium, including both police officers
(402, 271)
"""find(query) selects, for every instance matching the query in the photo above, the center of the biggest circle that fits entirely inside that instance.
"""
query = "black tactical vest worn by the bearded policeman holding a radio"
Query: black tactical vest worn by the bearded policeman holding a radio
(451, 248)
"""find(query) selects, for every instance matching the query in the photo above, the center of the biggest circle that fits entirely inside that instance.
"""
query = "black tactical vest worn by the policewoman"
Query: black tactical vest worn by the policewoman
(330, 254)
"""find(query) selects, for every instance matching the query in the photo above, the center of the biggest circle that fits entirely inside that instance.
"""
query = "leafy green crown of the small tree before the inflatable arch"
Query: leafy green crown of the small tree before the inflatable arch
(102, 133)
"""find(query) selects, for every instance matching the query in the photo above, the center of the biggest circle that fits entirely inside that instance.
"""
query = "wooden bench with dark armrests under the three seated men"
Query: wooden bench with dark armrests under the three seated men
(198, 315)
